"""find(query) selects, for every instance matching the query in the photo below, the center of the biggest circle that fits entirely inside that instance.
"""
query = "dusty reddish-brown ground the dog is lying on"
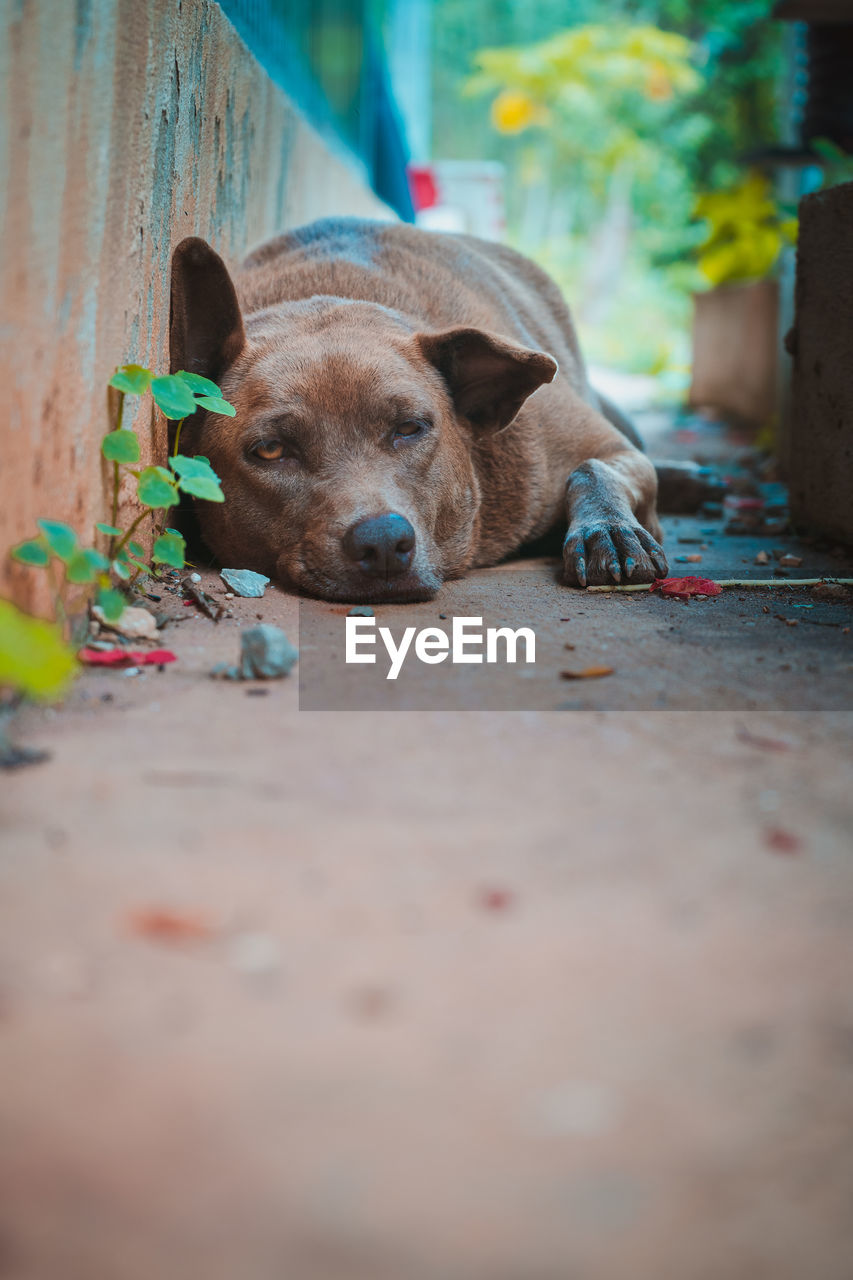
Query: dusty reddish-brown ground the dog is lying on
(451, 994)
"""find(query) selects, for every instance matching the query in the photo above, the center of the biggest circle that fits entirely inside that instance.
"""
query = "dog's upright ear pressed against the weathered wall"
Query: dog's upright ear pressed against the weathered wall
(206, 326)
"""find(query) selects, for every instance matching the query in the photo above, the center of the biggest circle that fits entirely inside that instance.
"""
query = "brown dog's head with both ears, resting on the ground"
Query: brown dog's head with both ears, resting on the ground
(348, 470)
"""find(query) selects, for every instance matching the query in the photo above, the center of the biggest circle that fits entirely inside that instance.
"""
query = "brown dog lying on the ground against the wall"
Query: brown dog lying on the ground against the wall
(409, 405)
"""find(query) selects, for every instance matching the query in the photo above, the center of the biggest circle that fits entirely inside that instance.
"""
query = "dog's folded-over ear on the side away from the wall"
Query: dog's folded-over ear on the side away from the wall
(490, 378)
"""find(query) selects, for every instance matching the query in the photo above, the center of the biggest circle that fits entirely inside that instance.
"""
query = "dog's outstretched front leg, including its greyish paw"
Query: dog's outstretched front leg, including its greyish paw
(613, 527)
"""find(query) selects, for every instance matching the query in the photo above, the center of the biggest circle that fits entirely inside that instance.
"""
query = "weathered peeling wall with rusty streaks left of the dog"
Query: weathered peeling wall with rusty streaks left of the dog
(126, 126)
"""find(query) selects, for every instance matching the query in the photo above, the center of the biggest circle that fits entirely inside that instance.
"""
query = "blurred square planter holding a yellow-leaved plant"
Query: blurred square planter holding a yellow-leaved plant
(736, 321)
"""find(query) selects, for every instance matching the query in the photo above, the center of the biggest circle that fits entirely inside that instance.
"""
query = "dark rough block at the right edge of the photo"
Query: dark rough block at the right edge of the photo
(822, 446)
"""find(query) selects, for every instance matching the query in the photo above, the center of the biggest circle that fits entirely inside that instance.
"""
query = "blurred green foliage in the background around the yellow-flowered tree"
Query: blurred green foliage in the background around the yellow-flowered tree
(696, 147)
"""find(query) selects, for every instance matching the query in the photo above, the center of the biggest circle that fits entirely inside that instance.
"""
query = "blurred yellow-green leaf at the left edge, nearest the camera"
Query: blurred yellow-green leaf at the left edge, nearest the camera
(34, 657)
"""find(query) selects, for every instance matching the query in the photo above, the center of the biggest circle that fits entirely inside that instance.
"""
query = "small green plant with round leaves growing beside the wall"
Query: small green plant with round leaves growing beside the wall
(57, 550)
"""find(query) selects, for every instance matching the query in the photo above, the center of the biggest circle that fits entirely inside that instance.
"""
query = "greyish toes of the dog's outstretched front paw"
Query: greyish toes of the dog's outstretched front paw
(596, 554)
